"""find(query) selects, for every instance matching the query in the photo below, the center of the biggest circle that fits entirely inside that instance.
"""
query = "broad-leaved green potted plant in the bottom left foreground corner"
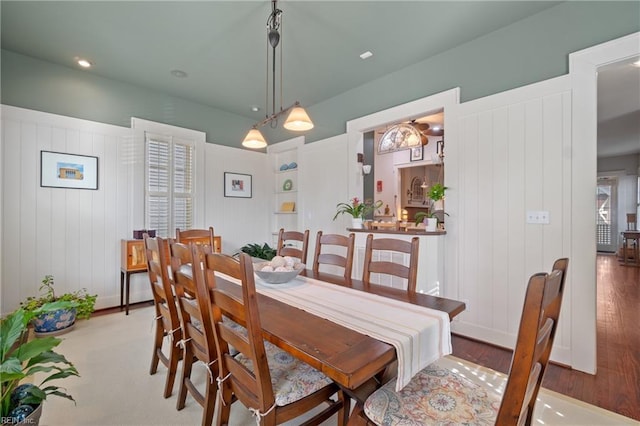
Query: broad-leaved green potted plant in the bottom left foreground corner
(21, 358)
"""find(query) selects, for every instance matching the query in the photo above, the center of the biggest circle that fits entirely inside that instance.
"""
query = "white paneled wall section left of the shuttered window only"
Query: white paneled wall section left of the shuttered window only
(68, 233)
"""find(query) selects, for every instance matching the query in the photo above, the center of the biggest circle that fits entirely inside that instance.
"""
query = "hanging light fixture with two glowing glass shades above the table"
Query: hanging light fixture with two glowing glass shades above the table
(298, 119)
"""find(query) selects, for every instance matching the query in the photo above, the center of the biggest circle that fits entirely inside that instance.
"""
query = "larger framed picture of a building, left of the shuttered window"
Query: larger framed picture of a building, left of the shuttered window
(60, 170)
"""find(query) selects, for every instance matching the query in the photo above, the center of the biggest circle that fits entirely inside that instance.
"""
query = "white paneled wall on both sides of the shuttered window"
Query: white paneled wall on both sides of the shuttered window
(75, 234)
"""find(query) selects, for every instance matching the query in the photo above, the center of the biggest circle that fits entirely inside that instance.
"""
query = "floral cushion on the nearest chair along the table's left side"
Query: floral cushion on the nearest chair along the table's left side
(291, 378)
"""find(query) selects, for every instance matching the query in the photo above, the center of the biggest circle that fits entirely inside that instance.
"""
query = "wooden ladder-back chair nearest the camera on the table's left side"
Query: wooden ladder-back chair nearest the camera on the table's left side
(271, 383)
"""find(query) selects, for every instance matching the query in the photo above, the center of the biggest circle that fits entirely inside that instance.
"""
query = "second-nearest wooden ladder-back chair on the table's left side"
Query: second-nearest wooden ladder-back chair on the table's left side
(198, 341)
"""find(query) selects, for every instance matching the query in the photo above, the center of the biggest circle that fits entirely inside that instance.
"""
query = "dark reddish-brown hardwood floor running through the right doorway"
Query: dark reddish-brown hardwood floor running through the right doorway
(616, 386)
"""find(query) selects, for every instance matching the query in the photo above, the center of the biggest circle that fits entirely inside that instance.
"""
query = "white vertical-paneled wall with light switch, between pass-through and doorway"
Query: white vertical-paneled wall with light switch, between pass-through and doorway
(514, 152)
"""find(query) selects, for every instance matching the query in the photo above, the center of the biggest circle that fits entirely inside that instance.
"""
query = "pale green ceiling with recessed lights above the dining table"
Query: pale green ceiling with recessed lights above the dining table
(221, 45)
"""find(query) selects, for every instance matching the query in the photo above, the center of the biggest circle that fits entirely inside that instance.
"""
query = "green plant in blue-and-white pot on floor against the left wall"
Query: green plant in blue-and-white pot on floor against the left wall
(81, 305)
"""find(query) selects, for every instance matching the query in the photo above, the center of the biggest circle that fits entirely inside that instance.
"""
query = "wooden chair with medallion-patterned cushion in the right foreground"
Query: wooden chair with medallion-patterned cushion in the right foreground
(437, 395)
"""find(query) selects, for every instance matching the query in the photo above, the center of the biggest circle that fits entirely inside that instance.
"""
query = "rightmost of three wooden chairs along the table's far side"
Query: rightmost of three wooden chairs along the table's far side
(374, 255)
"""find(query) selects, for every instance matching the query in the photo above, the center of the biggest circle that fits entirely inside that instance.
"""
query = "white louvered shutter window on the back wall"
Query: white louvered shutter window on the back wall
(169, 191)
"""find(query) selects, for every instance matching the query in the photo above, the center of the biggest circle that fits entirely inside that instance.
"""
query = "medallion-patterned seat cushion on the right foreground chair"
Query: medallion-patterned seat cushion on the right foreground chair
(435, 396)
